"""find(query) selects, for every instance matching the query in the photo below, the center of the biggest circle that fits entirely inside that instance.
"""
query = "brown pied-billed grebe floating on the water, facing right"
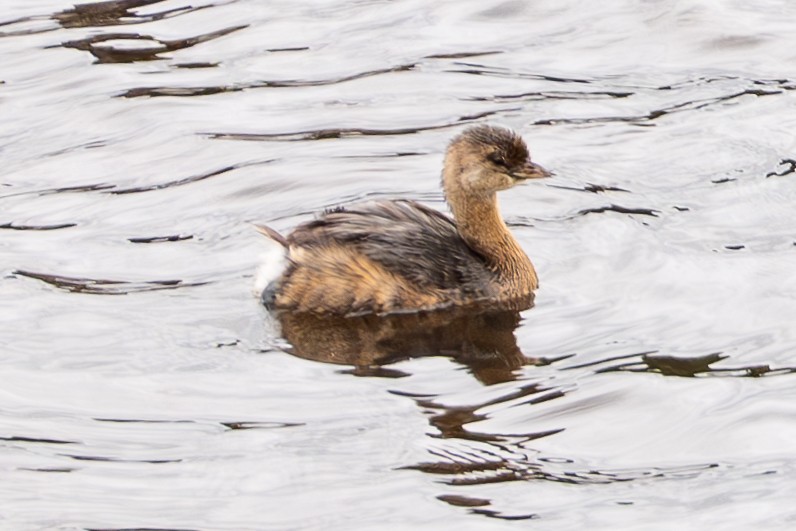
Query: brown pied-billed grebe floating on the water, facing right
(400, 256)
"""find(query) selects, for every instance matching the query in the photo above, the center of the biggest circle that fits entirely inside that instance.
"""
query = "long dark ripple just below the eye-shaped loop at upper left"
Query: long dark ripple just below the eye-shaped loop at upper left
(217, 89)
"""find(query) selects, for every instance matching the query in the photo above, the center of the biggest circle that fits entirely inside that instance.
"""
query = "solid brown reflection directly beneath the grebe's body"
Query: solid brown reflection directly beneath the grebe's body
(480, 338)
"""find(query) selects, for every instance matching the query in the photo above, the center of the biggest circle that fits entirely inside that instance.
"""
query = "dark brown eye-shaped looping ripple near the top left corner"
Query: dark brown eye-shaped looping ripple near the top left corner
(153, 50)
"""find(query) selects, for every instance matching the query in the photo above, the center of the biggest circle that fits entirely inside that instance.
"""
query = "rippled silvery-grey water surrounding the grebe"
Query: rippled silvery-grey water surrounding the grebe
(651, 386)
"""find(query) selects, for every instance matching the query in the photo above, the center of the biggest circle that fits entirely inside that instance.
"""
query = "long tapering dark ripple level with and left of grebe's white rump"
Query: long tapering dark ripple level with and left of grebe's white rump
(95, 286)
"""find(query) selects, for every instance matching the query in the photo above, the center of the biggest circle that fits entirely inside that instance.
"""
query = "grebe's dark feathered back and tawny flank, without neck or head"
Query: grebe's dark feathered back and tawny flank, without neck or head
(380, 257)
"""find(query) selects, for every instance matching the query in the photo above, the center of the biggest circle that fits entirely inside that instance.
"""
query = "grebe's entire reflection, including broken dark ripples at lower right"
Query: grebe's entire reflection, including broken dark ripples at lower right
(462, 453)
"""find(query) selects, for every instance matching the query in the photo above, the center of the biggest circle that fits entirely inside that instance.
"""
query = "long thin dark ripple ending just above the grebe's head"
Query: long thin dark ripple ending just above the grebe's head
(322, 134)
